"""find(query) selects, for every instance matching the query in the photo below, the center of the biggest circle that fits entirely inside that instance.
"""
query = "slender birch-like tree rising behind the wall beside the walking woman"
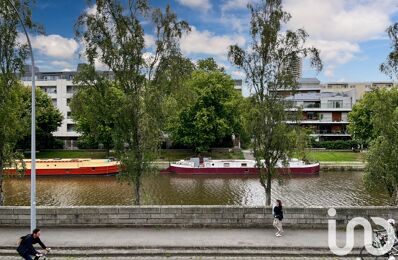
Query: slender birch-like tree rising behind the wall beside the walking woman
(268, 64)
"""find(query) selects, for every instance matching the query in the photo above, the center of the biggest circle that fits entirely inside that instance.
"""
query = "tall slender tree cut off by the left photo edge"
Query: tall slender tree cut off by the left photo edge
(12, 57)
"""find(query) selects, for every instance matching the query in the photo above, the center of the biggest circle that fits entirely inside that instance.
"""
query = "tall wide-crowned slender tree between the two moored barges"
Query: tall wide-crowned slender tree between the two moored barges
(114, 35)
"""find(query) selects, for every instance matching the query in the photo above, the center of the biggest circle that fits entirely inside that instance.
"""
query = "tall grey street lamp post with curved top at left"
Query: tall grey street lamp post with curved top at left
(33, 131)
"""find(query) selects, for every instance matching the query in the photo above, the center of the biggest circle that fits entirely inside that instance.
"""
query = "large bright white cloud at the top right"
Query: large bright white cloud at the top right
(346, 20)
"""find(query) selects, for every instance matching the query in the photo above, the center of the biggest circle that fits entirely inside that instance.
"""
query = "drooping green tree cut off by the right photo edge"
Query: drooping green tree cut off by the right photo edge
(382, 166)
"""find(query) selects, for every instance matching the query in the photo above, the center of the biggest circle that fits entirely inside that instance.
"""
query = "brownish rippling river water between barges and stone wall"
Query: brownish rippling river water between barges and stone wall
(325, 189)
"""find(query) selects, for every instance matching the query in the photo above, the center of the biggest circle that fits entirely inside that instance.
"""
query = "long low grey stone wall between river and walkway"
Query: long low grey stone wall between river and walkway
(186, 216)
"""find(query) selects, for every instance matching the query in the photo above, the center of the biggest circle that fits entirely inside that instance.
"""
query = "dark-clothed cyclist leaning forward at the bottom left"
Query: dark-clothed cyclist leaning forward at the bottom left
(26, 249)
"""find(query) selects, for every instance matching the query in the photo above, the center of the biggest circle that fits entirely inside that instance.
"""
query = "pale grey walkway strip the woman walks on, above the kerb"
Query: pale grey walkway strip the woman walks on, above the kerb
(152, 237)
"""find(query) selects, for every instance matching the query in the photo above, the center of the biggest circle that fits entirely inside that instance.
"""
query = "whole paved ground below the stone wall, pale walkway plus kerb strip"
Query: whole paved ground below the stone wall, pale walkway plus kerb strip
(180, 243)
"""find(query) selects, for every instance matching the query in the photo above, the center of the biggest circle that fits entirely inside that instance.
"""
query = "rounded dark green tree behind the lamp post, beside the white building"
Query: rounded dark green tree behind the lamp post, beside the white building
(48, 119)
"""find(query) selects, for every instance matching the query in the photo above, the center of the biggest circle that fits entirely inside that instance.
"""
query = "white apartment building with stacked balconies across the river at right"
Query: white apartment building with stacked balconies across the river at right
(325, 107)
